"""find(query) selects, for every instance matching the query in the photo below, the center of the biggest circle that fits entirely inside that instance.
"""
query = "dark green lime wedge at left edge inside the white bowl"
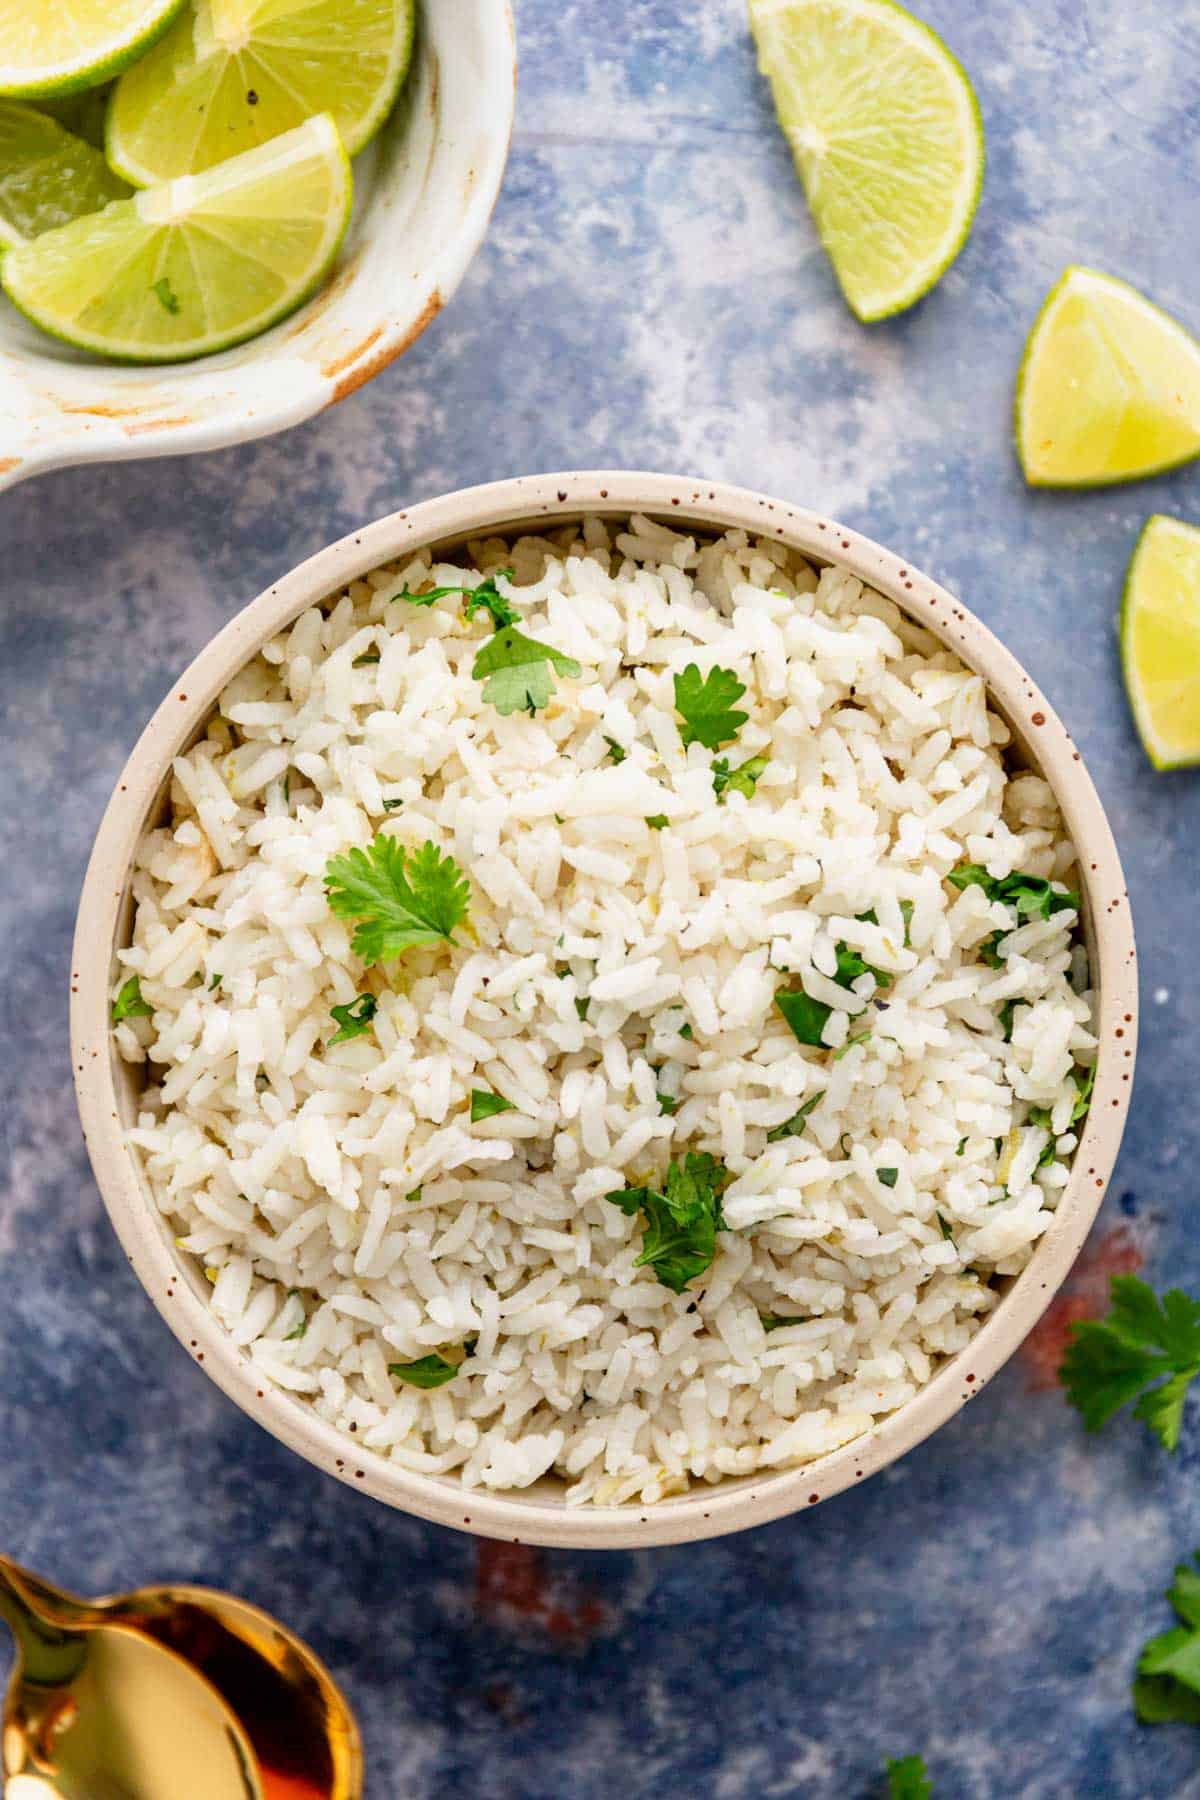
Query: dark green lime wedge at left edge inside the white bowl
(48, 175)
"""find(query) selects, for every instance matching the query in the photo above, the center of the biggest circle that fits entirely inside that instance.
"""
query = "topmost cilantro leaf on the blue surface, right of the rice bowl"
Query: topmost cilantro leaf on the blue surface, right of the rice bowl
(1143, 1340)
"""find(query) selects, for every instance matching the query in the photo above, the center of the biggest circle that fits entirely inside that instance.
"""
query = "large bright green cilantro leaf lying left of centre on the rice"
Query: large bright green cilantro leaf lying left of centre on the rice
(402, 897)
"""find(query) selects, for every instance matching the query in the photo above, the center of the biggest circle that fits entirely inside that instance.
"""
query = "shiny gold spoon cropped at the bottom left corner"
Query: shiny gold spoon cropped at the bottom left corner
(136, 1696)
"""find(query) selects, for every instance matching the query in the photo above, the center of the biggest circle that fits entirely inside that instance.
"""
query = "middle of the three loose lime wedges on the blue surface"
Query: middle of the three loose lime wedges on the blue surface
(1109, 388)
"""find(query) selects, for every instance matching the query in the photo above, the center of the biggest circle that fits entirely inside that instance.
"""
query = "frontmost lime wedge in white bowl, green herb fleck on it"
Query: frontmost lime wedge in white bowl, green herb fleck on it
(195, 265)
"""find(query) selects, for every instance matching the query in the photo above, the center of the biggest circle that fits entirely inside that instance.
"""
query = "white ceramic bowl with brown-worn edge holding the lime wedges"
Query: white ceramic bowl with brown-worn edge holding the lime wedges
(424, 195)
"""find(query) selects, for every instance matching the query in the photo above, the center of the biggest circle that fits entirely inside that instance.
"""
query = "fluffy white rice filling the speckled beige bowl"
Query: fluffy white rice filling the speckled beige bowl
(291, 1167)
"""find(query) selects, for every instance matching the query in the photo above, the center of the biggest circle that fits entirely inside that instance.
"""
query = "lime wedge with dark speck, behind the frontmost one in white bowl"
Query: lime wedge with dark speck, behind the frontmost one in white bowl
(237, 73)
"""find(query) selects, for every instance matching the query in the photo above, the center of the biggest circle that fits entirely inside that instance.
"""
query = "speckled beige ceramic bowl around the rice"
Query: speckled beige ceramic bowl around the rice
(109, 1088)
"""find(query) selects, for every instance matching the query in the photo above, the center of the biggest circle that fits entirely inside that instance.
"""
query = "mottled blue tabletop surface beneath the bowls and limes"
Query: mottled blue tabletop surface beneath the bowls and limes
(652, 296)
